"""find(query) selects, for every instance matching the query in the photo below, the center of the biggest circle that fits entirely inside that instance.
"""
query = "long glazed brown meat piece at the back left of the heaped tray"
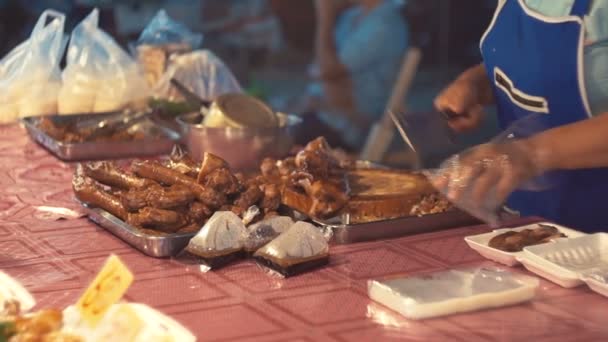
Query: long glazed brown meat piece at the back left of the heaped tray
(109, 174)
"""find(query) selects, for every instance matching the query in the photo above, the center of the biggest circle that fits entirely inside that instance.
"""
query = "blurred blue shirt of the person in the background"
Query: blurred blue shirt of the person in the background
(372, 47)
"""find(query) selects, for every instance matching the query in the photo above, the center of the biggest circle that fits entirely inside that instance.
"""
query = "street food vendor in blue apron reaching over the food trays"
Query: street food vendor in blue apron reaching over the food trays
(543, 58)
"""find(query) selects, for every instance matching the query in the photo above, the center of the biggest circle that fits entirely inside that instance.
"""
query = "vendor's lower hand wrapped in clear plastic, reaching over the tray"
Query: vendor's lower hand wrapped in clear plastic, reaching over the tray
(482, 178)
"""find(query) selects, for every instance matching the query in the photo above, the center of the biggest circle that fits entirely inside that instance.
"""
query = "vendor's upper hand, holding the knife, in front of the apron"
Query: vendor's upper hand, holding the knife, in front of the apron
(461, 98)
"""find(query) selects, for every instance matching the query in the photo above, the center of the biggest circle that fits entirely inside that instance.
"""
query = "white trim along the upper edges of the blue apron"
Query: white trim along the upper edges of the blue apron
(552, 20)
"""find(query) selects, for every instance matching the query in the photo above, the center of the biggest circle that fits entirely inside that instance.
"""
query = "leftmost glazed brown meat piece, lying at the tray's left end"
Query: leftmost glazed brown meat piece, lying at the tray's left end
(89, 192)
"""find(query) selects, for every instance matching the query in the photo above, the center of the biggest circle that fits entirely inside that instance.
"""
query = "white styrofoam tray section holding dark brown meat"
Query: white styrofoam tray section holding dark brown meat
(480, 242)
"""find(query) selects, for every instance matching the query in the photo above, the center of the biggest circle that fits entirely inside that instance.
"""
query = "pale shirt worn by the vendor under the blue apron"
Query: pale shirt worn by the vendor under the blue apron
(596, 47)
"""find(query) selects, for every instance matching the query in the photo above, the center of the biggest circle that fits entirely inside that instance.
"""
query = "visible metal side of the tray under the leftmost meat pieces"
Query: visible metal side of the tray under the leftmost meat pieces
(154, 246)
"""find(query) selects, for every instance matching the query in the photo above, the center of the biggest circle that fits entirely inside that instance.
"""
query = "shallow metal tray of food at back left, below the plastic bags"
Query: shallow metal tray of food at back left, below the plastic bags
(159, 140)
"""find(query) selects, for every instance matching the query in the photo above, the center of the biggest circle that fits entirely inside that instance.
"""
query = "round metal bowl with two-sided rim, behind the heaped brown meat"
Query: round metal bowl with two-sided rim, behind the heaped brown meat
(243, 148)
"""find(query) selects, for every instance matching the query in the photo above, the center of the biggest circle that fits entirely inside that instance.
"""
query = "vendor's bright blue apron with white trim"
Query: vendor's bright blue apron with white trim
(535, 64)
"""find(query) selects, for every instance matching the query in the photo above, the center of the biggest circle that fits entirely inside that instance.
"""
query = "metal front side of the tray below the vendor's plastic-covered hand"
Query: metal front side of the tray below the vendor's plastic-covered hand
(393, 228)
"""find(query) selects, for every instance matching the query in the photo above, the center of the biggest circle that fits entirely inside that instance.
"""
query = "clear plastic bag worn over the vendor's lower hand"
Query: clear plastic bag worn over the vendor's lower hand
(507, 156)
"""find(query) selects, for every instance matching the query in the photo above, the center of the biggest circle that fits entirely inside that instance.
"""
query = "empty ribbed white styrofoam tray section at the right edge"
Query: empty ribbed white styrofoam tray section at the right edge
(572, 262)
